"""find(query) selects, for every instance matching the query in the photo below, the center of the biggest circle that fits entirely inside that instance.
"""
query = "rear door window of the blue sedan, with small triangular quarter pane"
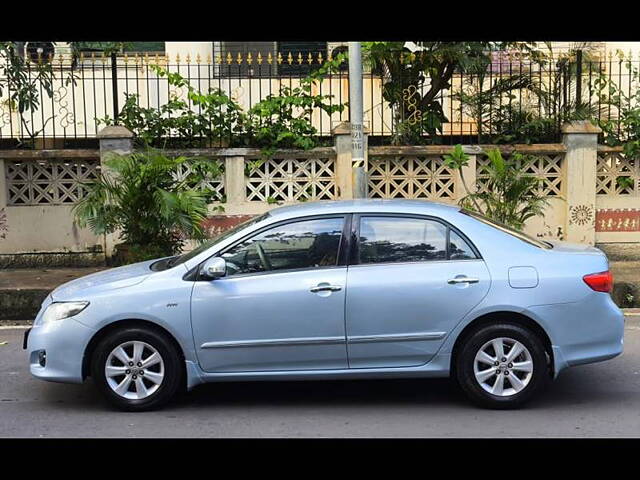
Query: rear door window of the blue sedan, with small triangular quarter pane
(400, 239)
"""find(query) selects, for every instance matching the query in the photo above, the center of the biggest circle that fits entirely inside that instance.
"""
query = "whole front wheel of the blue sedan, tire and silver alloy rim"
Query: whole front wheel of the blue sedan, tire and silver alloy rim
(137, 369)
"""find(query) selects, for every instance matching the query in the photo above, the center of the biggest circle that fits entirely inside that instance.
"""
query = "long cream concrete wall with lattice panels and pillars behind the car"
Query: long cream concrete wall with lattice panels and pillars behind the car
(587, 200)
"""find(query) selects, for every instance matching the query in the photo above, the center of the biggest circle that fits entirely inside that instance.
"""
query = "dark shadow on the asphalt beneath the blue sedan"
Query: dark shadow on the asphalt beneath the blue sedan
(578, 386)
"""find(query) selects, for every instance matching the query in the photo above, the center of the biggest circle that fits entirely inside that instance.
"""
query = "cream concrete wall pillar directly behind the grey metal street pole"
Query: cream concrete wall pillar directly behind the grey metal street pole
(351, 182)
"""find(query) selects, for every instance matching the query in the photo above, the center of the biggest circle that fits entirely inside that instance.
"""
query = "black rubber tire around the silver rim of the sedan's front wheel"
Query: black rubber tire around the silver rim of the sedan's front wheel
(173, 368)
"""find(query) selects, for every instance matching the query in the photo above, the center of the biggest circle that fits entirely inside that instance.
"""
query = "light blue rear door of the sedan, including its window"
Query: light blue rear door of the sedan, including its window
(412, 279)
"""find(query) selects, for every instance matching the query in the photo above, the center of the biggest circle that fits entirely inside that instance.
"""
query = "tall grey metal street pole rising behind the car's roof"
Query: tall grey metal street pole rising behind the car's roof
(356, 120)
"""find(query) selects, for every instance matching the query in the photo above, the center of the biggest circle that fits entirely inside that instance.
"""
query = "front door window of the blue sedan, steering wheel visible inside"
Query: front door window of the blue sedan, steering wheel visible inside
(305, 244)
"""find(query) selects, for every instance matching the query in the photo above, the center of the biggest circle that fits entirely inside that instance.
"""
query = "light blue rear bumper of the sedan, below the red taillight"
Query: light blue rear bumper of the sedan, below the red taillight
(582, 332)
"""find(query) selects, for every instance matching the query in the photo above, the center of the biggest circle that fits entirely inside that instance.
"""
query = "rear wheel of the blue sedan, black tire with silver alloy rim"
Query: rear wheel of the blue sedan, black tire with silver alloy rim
(501, 366)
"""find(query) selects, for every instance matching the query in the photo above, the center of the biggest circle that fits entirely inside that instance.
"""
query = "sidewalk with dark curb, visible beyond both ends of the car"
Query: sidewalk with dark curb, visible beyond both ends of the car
(23, 290)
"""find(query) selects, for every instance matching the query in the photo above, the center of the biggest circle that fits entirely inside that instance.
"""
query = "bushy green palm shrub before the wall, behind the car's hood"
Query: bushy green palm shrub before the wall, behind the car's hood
(141, 198)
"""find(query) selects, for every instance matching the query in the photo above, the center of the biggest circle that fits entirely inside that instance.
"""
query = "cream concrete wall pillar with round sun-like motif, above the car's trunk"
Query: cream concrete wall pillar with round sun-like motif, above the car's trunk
(580, 170)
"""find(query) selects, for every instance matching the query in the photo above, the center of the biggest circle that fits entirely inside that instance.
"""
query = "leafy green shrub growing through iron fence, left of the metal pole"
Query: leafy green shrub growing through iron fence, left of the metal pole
(214, 119)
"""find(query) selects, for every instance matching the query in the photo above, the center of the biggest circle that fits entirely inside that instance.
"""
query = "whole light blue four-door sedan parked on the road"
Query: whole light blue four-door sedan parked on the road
(337, 290)
